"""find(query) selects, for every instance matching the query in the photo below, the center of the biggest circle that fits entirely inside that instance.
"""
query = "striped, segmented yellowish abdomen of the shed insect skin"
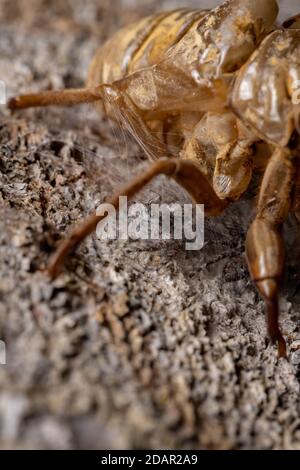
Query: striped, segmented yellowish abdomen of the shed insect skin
(140, 44)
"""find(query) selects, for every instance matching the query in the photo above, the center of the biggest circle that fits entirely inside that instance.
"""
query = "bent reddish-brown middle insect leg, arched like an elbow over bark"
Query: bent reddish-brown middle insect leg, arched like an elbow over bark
(186, 173)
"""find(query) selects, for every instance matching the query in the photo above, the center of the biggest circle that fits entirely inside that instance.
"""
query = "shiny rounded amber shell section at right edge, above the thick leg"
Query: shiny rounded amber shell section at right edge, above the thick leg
(263, 92)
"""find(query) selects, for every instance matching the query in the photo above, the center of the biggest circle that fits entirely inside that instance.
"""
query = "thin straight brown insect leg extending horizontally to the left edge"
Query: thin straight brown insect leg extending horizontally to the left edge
(67, 97)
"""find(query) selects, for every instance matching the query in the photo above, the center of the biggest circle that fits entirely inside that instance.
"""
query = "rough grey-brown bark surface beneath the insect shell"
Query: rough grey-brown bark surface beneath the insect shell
(136, 344)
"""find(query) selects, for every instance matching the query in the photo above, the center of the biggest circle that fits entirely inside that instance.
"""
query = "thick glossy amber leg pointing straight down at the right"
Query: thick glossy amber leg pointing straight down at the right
(264, 243)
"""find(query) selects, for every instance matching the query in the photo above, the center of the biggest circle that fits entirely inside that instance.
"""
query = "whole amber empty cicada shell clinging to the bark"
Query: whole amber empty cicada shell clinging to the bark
(223, 81)
